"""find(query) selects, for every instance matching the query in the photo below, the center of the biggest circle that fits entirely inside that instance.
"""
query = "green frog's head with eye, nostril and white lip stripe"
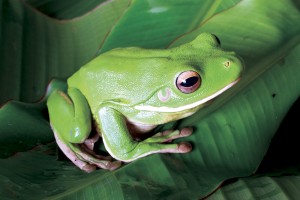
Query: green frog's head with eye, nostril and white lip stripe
(196, 73)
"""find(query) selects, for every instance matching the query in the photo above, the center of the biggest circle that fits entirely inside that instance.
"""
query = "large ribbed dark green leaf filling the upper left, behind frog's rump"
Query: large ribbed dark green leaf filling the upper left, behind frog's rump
(36, 48)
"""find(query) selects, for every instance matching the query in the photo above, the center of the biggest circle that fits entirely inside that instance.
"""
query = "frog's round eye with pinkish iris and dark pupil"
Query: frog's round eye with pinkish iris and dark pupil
(188, 81)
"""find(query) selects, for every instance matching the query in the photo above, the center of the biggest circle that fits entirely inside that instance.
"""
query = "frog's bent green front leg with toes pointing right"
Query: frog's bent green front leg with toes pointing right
(122, 146)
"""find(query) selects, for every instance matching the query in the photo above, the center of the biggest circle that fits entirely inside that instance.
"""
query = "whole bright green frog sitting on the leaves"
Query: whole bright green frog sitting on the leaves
(127, 92)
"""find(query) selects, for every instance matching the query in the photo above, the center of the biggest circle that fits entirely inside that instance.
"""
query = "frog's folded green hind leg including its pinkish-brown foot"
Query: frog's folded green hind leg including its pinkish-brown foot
(70, 120)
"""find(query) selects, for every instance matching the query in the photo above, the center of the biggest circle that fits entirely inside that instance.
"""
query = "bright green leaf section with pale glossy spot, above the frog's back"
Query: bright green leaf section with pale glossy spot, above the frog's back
(154, 24)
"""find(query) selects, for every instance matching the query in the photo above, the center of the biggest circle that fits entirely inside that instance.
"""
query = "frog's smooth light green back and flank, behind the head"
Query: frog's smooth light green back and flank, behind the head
(119, 78)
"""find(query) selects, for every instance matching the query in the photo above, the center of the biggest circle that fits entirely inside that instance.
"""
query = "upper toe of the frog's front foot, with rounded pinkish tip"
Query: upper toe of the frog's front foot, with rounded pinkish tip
(169, 135)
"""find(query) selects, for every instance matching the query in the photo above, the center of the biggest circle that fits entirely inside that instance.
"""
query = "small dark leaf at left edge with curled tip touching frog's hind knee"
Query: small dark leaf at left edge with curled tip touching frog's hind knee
(24, 126)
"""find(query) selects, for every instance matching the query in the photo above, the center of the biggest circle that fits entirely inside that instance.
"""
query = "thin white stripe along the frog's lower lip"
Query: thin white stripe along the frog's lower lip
(185, 107)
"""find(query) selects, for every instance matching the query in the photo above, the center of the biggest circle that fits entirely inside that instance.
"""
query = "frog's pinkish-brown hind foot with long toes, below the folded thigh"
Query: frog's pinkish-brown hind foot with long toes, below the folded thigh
(84, 158)
